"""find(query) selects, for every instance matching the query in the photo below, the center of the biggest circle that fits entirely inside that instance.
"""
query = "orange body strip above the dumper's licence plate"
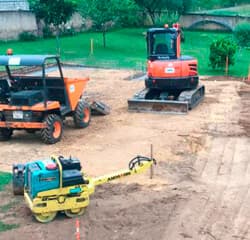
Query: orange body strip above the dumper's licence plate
(37, 107)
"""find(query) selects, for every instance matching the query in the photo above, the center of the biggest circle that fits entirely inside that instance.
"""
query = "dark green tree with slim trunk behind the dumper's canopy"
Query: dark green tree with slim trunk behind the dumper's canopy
(54, 12)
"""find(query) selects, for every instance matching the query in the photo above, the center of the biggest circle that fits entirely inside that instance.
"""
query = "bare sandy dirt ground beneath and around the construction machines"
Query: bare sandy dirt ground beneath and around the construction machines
(200, 189)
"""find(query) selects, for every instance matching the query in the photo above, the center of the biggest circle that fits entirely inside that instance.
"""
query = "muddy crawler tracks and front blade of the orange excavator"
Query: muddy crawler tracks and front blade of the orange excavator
(187, 100)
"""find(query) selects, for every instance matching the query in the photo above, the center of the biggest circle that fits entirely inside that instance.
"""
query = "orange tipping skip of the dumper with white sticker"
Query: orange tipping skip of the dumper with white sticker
(75, 88)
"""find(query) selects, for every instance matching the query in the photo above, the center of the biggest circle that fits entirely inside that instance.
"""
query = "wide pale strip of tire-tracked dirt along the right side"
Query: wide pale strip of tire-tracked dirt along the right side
(217, 210)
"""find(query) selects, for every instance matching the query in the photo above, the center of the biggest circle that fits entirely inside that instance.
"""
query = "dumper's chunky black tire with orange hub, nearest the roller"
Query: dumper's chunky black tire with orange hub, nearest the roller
(48, 133)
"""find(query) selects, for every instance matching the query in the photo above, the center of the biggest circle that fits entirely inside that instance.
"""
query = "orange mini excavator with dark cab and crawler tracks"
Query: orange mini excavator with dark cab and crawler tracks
(172, 82)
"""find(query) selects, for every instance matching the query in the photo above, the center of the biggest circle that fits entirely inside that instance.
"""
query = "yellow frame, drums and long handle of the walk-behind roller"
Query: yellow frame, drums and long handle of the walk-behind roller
(74, 199)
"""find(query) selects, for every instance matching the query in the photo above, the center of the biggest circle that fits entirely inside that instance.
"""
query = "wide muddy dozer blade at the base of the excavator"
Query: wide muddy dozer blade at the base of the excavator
(157, 106)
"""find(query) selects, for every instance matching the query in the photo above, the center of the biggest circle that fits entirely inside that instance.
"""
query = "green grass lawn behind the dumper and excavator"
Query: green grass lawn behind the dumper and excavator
(126, 48)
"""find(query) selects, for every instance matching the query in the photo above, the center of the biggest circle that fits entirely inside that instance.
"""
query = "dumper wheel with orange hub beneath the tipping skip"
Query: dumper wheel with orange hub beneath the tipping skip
(82, 114)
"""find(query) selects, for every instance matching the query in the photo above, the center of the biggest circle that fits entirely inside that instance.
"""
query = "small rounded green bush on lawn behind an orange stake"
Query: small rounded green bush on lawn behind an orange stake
(220, 50)
